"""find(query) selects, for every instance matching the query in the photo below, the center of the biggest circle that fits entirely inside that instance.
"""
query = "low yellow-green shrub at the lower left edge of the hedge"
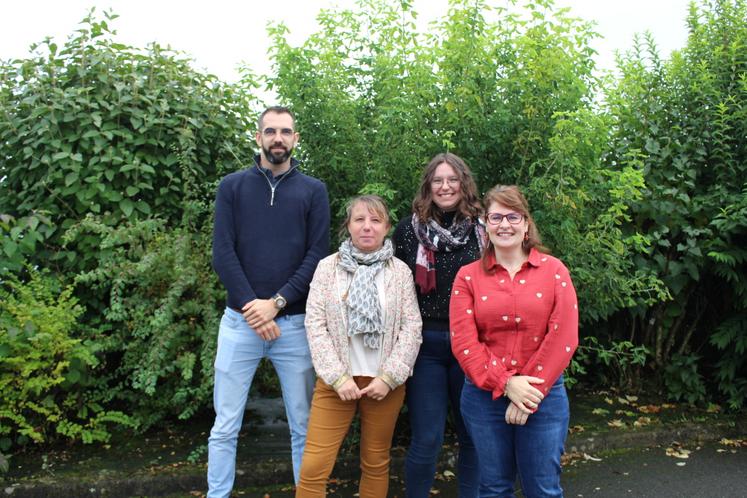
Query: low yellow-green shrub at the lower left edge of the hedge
(46, 373)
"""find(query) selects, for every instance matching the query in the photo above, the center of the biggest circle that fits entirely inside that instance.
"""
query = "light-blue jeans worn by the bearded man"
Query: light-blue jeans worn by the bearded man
(240, 350)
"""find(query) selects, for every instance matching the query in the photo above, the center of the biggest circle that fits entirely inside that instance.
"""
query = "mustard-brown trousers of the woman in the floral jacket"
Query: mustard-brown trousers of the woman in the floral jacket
(330, 421)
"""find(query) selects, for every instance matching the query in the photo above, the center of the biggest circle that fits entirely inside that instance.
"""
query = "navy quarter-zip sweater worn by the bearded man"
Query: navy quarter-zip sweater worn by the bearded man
(268, 239)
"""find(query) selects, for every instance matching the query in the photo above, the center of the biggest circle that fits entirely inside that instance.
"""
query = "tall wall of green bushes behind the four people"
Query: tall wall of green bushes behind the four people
(110, 154)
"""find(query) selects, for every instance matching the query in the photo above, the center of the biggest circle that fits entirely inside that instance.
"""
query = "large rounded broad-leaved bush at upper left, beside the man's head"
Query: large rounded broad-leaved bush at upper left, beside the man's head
(95, 126)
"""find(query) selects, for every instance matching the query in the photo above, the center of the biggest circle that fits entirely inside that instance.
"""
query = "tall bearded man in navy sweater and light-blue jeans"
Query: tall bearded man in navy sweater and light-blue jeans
(271, 230)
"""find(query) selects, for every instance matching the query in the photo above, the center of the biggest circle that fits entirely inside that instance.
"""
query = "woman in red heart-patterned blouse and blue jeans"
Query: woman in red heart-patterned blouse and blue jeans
(514, 326)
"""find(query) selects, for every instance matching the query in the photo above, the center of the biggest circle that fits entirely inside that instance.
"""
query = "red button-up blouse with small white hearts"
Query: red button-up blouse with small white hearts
(525, 326)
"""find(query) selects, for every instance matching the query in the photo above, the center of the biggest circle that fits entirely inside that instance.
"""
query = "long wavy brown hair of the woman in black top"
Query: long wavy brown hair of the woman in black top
(469, 207)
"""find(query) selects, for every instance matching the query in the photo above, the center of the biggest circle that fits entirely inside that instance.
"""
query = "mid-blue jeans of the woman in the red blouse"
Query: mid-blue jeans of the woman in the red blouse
(533, 450)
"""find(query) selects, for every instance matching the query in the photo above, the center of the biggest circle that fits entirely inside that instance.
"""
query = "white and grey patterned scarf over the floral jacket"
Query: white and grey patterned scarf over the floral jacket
(362, 297)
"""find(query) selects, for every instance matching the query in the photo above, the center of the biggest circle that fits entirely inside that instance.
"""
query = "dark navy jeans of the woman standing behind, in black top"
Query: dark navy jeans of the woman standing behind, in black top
(436, 382)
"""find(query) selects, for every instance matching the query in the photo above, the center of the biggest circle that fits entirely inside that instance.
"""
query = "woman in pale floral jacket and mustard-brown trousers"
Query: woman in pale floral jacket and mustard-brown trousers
(364, 329)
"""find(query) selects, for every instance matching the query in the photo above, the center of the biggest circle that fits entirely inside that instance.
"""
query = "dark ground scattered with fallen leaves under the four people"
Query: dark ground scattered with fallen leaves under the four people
(617, 446)
